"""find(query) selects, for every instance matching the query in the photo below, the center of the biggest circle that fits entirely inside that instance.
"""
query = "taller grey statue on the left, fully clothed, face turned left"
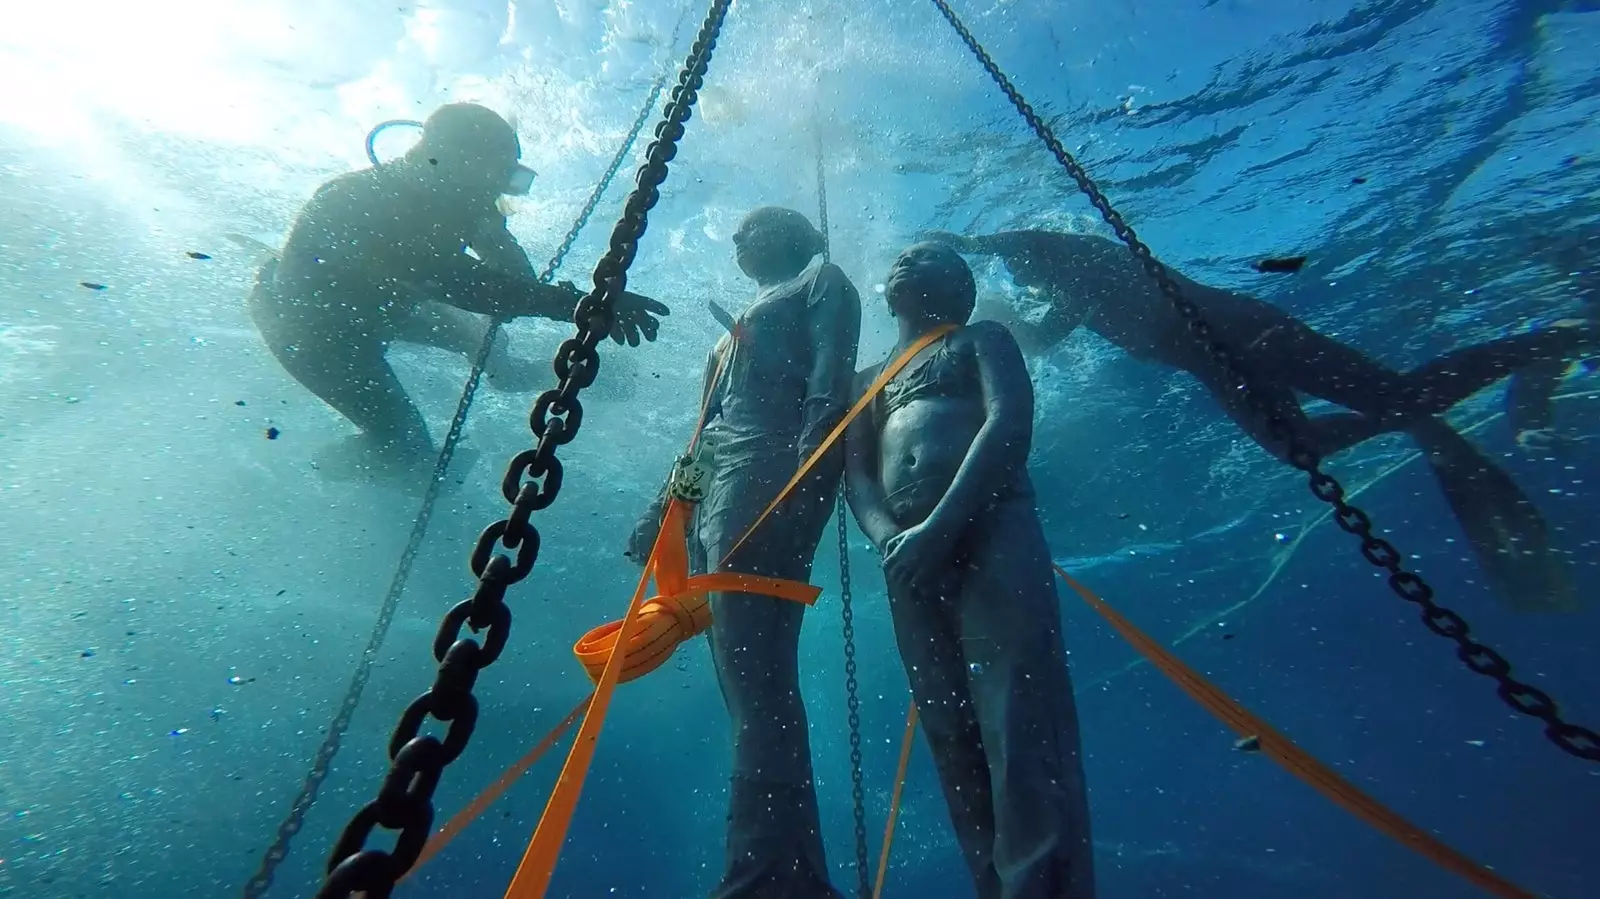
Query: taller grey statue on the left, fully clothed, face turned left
(775, 388)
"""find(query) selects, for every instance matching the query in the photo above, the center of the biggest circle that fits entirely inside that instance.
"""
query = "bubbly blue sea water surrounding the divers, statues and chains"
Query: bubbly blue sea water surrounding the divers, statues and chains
(183, 599)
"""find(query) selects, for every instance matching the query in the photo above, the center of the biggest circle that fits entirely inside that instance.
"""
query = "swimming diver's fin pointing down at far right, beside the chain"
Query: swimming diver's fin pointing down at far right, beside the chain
(1505, 529)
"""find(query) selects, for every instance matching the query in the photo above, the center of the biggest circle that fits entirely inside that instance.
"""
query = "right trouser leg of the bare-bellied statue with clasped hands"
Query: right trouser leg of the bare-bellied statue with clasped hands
(1010, 631)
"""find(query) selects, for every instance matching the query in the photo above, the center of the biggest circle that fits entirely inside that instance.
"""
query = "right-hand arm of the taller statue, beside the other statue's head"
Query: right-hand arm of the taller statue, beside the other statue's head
(836, 335)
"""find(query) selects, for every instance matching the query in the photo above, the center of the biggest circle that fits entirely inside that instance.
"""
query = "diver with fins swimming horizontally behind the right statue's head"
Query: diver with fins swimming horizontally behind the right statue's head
(1098, 284)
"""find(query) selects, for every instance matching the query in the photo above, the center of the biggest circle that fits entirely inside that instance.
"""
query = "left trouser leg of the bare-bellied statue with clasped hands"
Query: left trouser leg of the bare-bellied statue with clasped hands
(926, 634)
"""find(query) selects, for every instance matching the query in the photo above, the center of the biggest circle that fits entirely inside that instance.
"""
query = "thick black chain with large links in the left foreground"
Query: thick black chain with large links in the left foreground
(534, 481)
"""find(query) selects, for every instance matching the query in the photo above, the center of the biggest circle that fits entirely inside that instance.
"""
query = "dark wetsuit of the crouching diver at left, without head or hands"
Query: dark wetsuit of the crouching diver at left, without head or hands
(377, 257)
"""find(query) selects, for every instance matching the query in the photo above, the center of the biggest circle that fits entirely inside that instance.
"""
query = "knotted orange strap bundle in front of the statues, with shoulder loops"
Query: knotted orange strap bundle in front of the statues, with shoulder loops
(676, 620)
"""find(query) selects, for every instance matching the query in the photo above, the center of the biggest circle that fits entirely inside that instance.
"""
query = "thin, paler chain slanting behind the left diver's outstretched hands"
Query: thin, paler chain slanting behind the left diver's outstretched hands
(322, 762)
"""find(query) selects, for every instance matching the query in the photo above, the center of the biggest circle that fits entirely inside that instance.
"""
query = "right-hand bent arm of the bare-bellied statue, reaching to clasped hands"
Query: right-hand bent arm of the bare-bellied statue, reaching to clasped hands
(1001, 449)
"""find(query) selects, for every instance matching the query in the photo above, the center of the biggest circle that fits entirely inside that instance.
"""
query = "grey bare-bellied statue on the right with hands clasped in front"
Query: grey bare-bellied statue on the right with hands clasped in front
(937, 476)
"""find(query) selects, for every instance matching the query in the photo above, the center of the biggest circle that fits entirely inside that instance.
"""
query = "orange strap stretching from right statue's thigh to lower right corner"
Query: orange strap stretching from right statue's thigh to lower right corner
(1297, 761)
